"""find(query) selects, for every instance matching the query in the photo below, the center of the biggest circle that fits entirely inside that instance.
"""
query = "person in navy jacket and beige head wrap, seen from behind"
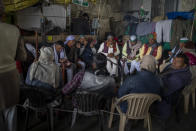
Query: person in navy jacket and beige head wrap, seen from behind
(144, 81)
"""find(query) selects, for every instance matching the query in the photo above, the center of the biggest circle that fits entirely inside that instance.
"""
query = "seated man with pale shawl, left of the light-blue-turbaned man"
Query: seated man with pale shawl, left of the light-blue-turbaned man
(60, 57)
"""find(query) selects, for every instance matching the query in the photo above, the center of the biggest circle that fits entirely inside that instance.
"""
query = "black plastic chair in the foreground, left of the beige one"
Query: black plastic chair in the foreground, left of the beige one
(87, 104)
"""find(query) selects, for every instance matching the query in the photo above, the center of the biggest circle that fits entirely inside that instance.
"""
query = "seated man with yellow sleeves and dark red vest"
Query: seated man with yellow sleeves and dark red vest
(152, 48)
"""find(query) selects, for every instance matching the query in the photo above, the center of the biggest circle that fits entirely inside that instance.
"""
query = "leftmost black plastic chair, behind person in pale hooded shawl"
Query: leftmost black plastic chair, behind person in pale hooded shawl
(38, 100)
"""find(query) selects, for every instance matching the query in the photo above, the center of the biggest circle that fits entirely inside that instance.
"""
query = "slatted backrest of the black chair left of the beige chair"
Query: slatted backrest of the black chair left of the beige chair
(87, 102)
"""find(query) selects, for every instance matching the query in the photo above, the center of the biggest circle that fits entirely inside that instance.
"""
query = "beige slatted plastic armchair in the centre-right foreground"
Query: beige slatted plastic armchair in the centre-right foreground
(138, 108)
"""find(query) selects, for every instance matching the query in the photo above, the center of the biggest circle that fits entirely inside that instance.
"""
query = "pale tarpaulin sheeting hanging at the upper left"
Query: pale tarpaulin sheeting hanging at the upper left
(30, 18)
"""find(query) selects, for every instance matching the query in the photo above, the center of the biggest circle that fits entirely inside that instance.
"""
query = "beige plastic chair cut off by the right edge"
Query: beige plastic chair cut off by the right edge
(190, 91)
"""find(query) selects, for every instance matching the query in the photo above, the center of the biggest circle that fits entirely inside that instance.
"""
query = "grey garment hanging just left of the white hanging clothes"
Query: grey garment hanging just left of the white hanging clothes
(145, 28)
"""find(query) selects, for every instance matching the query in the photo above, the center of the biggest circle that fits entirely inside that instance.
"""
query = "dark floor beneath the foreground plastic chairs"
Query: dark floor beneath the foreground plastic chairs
(63, 123)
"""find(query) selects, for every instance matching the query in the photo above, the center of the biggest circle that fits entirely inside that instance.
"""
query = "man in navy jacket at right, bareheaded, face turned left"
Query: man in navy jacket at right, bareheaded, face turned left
(176, 75)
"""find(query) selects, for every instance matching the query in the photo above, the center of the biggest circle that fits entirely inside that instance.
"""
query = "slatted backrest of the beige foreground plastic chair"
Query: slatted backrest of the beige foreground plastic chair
(139, 104)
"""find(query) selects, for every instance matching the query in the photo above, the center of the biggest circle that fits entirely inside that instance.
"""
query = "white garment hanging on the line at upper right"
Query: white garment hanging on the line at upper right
(163, 31)
